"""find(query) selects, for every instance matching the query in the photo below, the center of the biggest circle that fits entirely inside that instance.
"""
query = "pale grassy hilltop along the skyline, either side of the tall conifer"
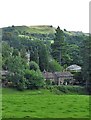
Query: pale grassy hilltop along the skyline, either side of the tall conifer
(43, 29)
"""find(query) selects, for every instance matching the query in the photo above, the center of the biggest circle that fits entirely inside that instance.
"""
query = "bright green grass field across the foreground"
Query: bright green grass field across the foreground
(43, 104)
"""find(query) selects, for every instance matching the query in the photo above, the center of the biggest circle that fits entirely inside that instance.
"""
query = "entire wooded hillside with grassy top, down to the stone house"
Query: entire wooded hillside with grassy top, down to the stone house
(28, 51)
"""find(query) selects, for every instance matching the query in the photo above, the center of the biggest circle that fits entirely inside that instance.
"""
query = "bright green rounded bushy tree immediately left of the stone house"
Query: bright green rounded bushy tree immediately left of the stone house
(34, 76)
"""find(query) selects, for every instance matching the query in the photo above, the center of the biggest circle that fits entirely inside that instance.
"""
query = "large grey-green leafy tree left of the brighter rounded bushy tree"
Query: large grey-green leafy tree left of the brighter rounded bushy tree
(16, 67)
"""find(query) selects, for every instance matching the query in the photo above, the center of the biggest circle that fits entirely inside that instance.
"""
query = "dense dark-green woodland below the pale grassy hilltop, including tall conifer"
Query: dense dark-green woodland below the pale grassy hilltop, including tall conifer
(55, 56)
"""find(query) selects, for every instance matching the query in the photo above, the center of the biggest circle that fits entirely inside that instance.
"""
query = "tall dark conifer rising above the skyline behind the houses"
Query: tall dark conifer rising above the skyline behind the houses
(57, 46)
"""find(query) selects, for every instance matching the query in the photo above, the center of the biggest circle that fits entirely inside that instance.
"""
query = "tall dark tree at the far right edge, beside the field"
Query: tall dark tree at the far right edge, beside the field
(86, 66)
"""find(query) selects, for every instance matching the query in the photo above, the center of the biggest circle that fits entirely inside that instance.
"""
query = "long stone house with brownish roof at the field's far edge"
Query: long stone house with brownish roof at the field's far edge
(58, 78)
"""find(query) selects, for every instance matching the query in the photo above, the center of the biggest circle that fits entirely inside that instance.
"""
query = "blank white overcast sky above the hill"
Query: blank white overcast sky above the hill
(72, 15)
